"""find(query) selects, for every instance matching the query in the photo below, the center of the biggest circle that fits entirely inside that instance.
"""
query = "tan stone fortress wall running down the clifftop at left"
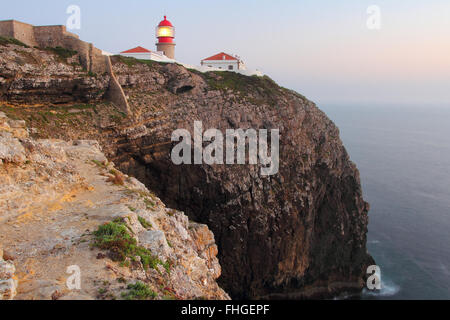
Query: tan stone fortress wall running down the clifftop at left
(91, 58)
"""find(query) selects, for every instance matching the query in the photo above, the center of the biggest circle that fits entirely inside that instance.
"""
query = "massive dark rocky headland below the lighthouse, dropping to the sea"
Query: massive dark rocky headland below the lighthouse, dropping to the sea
(300, 233)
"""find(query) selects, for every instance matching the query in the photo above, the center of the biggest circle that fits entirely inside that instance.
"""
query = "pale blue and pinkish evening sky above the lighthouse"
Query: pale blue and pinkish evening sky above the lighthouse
(321, 48)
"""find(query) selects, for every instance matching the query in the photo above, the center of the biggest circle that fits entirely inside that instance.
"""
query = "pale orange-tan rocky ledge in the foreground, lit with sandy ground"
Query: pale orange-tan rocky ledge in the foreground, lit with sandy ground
(55, 194)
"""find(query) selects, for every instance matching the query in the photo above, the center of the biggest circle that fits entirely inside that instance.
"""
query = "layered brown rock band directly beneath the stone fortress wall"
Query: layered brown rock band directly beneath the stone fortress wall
(37, 76)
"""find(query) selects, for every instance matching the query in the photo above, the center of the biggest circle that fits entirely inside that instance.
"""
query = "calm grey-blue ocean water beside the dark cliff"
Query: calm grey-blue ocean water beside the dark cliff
(403, 154)
